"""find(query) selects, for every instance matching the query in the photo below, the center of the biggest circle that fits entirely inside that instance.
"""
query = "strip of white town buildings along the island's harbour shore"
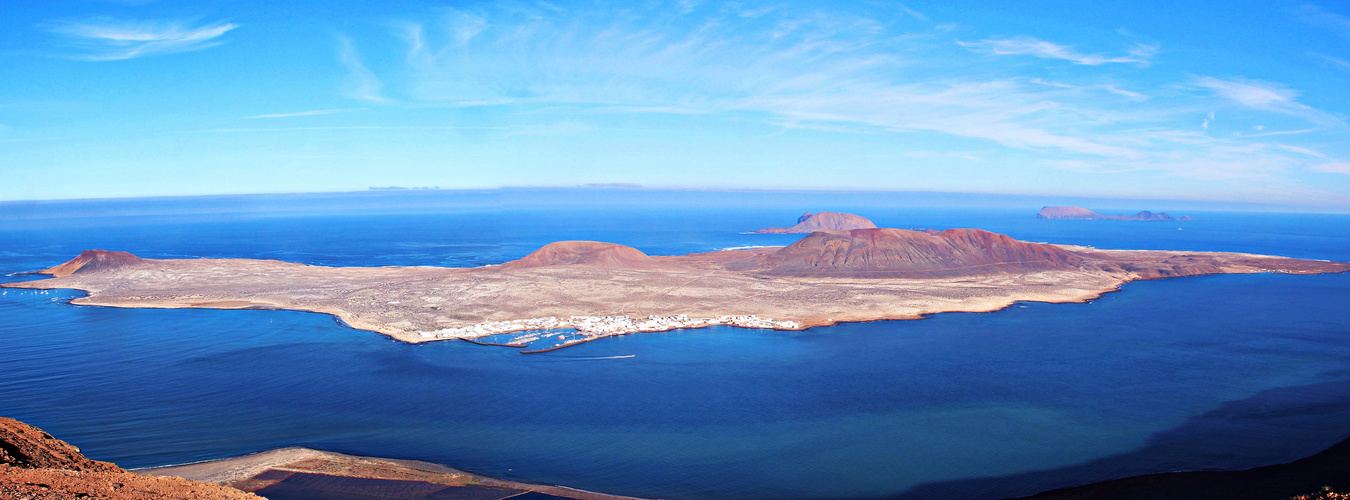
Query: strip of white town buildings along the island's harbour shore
(604, 326)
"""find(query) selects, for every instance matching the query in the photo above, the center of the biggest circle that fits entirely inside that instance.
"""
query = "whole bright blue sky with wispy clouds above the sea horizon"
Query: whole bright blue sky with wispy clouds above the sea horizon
(1190, 101)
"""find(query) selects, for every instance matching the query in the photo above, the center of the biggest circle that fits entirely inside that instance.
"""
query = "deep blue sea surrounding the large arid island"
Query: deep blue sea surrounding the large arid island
(1218, 372)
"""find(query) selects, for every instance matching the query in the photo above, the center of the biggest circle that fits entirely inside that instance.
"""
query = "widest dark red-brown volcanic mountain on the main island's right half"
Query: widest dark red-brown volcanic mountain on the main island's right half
(909, 255)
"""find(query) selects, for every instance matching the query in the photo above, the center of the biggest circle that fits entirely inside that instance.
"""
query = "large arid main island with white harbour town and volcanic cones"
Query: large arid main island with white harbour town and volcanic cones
(572, 293)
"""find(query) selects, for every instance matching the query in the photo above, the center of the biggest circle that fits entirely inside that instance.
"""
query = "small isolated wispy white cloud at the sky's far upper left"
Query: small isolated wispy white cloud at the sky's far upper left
(115, 40)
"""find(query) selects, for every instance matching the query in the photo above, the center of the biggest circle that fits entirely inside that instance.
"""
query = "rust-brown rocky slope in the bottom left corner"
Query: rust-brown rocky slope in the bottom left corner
(37, 467)
